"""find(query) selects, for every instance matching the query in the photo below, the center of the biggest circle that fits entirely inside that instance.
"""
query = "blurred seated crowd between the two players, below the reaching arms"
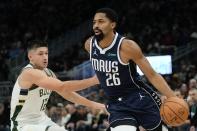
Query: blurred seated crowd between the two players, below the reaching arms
(76, 117)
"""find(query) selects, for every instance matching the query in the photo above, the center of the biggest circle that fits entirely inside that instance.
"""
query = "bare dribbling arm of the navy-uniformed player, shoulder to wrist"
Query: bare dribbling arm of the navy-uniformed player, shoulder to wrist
(133, 52)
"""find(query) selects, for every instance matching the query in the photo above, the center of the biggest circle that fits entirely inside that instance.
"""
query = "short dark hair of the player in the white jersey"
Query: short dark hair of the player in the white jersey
(36, 44)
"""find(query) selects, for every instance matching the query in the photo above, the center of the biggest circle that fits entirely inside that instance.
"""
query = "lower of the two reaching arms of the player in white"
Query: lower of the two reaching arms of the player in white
(76, 98)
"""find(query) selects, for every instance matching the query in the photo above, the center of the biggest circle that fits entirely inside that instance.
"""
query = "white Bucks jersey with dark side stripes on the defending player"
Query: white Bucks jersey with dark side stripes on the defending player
(28, 105)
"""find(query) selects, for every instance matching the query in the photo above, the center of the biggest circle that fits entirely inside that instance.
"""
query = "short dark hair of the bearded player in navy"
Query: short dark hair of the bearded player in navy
(111, 14)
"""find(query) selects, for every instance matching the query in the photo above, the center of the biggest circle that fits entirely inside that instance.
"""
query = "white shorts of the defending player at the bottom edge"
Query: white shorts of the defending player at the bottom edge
(41, 126)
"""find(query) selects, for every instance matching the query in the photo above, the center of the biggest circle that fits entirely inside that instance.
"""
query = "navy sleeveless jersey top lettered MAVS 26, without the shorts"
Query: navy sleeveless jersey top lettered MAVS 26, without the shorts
(116, 77)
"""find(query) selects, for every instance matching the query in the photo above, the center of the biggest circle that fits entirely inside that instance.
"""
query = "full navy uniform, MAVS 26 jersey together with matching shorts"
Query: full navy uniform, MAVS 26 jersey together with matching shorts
(130, 100)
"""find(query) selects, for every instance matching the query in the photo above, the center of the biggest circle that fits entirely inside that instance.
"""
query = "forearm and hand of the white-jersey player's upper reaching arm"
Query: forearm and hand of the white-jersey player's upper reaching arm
(76, 85)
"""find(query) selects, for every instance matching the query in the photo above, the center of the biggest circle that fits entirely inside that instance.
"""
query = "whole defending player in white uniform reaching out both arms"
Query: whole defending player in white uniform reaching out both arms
(33, 88)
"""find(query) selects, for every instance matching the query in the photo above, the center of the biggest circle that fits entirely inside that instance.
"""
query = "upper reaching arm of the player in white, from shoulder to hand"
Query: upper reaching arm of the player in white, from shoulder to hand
(37, 77)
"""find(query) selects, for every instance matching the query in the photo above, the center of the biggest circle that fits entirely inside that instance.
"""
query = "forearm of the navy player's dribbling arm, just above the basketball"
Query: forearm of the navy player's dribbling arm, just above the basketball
(161, 85)
